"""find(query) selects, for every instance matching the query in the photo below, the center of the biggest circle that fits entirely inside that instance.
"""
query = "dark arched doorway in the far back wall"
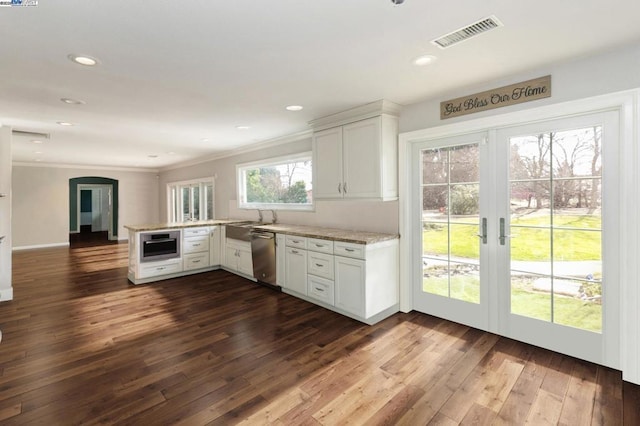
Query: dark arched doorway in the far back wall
(93, 210)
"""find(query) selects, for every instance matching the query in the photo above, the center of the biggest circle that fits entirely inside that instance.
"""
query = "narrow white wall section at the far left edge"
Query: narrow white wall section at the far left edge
(6, 289)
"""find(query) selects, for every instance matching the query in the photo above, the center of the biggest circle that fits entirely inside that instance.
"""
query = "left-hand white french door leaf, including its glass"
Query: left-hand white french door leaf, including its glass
(453, 211)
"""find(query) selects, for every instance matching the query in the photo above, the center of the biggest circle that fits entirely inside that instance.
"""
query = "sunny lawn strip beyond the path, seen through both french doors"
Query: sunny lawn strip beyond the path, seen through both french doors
(526, 243)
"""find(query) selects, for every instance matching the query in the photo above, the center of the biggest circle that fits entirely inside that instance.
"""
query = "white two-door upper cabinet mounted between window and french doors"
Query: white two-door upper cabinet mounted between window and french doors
(357, 160)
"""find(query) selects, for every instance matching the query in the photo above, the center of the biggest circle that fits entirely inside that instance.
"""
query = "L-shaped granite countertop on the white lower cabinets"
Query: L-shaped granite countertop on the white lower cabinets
(335, 234)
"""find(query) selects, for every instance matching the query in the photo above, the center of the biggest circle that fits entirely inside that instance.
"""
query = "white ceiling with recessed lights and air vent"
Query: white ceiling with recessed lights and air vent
(180, 76)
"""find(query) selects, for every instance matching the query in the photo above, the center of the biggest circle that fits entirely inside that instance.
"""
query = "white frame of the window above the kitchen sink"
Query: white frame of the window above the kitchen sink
(241, 168)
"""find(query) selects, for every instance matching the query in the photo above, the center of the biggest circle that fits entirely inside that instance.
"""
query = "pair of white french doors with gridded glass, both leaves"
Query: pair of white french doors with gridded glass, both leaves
(517, 229)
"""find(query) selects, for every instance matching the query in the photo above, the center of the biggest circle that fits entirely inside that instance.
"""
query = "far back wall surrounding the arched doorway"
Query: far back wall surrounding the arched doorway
(41, 202)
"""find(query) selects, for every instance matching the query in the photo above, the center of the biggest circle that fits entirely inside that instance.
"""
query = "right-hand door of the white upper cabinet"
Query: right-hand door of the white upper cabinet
(361, 154)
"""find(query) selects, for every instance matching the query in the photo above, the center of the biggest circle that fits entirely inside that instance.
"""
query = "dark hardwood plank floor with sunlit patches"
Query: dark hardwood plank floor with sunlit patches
(83, 346)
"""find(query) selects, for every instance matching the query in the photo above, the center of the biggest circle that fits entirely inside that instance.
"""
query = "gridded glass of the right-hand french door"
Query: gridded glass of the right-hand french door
(556, 227)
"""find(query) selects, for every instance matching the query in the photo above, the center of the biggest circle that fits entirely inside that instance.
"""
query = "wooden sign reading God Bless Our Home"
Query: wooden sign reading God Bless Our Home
(518, 93)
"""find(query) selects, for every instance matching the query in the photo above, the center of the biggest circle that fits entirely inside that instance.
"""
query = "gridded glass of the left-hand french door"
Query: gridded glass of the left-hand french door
(450, 222)
